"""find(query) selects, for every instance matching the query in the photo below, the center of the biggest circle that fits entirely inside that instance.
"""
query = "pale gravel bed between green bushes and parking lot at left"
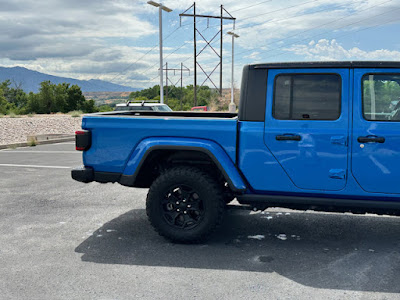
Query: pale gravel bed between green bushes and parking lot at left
(16, 130)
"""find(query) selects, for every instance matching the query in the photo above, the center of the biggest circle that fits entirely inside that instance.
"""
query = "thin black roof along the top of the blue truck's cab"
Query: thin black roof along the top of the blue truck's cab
(327, 64)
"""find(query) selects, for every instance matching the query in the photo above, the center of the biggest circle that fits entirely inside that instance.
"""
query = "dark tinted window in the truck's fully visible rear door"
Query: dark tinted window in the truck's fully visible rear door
(307, 97)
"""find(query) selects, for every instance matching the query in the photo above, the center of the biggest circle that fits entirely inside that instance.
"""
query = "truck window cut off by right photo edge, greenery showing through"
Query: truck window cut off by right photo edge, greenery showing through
(381, 97)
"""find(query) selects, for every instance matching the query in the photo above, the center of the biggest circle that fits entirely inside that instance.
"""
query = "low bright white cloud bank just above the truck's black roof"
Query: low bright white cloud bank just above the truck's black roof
(332, 50)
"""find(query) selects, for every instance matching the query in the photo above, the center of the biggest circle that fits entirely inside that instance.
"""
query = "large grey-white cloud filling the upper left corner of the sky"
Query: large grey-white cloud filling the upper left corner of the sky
(30, 30)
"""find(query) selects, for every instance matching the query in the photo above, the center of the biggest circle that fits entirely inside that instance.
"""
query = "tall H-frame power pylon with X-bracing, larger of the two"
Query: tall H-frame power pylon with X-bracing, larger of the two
(208, 44)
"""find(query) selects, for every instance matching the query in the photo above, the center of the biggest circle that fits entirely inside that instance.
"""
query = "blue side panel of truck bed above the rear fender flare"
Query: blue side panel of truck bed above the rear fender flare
(115, 135)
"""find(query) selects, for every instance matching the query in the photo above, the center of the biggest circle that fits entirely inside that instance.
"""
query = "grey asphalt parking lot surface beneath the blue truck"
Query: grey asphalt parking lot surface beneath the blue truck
(61, 239)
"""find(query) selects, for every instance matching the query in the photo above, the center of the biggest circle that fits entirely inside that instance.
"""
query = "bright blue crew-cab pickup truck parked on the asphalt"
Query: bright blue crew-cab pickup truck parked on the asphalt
(314, 135)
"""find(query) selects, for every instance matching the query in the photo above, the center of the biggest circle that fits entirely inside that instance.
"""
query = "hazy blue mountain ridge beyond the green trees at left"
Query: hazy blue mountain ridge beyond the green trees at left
(30, 81)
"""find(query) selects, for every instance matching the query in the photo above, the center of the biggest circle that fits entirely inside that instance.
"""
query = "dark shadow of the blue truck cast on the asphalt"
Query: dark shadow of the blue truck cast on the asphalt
(329, 251)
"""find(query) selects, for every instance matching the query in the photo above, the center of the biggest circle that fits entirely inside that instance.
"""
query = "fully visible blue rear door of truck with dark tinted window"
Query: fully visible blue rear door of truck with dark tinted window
(307, 126)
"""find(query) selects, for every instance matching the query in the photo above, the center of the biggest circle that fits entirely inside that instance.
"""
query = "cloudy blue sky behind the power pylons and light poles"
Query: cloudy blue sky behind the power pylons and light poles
(117, 40)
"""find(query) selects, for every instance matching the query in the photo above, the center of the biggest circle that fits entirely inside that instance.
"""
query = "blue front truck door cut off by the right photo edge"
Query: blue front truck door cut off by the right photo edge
(376, 130)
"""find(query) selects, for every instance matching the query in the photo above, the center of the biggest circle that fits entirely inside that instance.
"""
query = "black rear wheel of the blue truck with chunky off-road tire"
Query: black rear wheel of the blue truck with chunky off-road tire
(185, 204)
